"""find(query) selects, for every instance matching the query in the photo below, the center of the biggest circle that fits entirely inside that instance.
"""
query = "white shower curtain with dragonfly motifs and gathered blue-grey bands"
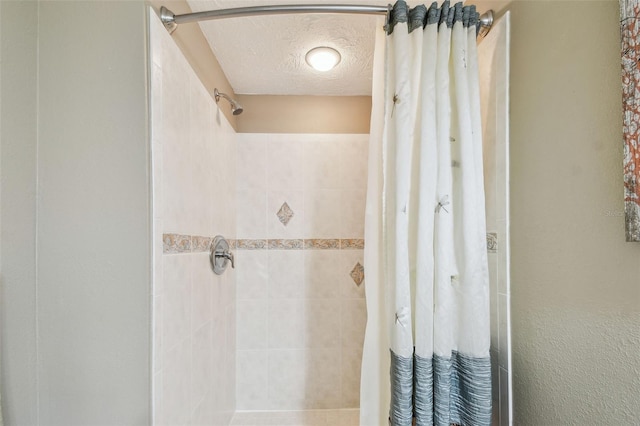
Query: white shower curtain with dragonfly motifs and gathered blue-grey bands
(426, 351)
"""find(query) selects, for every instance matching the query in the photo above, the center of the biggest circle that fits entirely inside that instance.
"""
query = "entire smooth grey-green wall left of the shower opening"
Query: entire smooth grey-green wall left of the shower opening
(75, 272)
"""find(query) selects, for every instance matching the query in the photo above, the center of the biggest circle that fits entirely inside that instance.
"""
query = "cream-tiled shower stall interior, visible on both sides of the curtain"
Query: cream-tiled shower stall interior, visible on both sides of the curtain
(278, 338)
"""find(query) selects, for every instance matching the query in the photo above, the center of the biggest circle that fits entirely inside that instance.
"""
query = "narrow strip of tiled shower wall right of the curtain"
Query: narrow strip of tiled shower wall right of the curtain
(493, 57)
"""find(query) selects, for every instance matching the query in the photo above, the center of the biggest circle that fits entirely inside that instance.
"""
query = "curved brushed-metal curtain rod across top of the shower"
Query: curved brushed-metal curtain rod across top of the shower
(171, 20)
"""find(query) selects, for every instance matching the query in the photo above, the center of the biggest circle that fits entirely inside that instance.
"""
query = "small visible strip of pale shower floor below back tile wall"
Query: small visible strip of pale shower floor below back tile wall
(342, 417)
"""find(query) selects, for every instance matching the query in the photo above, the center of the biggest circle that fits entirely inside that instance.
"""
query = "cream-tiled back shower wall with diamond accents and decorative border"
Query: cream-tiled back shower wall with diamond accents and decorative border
(301, 308)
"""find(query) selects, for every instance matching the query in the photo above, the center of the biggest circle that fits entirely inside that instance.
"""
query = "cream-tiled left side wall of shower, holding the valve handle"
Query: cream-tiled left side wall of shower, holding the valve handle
(193, 156)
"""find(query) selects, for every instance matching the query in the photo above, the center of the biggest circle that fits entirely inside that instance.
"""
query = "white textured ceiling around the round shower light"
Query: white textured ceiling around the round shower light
(265, 54)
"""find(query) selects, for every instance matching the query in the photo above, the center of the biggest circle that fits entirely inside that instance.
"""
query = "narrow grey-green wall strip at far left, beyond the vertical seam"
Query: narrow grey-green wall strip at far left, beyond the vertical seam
(18, 180)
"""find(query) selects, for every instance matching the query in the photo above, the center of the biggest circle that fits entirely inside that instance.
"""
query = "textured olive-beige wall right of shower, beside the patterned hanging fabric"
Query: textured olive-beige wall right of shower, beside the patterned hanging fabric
(575, 285)
